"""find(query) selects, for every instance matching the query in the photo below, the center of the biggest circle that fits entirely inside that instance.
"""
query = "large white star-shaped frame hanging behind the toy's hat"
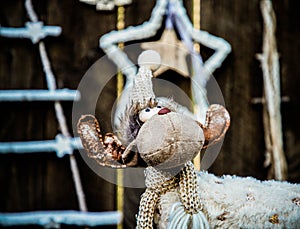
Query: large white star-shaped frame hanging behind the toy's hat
(109, 43)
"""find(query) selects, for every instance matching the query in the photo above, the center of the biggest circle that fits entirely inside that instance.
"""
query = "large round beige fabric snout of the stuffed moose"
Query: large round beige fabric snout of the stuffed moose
(169, 140)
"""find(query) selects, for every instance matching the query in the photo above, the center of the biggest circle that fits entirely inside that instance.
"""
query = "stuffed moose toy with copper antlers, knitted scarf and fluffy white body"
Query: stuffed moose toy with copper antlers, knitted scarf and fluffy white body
(165, 141)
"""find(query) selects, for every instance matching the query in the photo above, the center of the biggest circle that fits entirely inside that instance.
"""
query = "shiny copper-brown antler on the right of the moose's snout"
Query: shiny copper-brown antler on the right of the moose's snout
(216, 124)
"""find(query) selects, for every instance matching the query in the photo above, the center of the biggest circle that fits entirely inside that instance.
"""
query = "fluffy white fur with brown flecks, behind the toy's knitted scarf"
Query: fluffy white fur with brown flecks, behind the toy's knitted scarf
(235, 202)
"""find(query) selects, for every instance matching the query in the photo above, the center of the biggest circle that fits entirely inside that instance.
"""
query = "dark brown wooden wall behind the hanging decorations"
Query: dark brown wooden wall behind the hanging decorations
(44, 182)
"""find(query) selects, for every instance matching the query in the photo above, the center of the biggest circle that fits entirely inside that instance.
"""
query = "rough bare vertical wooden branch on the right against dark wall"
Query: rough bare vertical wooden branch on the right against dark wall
(271, 111)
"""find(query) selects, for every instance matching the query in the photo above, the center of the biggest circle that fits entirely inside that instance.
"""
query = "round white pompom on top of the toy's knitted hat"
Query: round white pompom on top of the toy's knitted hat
(149, 58)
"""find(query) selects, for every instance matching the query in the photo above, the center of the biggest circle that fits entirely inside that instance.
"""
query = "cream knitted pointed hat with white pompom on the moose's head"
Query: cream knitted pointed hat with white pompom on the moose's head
(142, 90)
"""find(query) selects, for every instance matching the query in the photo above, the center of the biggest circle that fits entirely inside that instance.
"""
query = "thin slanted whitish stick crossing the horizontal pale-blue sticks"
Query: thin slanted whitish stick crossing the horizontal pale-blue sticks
(51, 83)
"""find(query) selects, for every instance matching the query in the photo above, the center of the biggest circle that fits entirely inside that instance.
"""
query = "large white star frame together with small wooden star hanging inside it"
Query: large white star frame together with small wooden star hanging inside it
(176, 14)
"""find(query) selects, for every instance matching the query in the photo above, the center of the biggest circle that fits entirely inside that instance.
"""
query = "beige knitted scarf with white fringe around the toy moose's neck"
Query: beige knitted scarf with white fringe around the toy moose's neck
(159, 183)
